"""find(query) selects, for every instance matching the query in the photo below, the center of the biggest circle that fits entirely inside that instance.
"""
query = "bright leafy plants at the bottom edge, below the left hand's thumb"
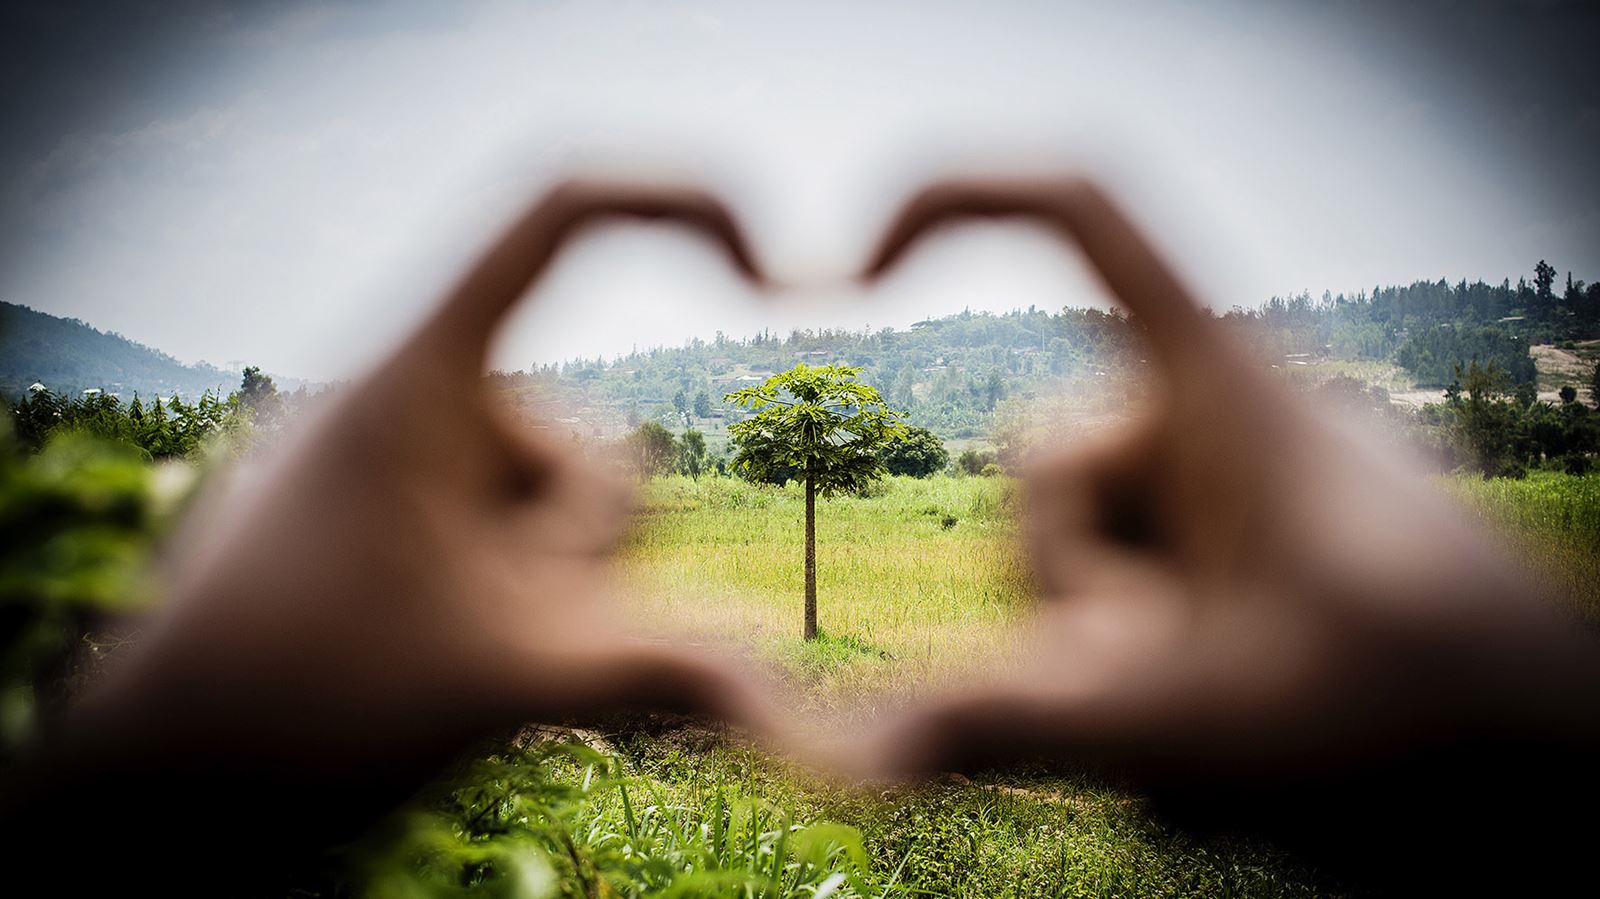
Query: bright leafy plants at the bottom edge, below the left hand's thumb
(545, 820)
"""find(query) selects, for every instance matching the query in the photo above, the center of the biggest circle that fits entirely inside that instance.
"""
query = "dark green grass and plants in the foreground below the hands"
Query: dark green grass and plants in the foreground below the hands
(687, 815)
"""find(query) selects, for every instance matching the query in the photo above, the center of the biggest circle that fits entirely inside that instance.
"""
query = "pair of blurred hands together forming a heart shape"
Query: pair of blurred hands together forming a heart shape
(1234, 589)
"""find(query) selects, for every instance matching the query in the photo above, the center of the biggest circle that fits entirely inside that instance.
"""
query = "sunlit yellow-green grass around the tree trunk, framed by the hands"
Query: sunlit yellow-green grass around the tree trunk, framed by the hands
(924, 578)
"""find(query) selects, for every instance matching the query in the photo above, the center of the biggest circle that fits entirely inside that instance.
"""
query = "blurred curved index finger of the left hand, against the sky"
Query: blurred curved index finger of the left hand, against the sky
(465, 324)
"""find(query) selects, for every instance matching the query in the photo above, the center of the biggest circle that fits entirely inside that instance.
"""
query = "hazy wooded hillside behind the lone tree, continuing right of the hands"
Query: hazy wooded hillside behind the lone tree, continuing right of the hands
(958, 374)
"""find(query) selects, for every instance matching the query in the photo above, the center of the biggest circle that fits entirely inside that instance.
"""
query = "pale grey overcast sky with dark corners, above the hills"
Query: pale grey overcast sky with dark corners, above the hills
(294, 185)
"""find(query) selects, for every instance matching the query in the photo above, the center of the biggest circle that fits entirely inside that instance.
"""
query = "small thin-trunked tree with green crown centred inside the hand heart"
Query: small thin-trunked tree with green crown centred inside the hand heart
(823, 428)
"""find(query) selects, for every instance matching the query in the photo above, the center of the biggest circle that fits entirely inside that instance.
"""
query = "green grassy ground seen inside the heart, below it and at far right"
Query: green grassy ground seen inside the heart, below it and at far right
(918, 586)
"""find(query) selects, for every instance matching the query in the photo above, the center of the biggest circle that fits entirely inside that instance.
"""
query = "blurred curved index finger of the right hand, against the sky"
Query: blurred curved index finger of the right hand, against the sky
(1079, 212)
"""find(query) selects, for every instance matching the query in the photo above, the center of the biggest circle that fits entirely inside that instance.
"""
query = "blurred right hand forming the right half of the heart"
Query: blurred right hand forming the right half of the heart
(1242, 601)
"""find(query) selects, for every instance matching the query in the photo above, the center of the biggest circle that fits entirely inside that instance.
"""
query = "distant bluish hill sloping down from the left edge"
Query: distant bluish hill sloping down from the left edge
(70, 356)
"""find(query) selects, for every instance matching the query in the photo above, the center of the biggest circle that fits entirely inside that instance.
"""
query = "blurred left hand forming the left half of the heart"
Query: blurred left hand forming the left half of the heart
(409, 573)
